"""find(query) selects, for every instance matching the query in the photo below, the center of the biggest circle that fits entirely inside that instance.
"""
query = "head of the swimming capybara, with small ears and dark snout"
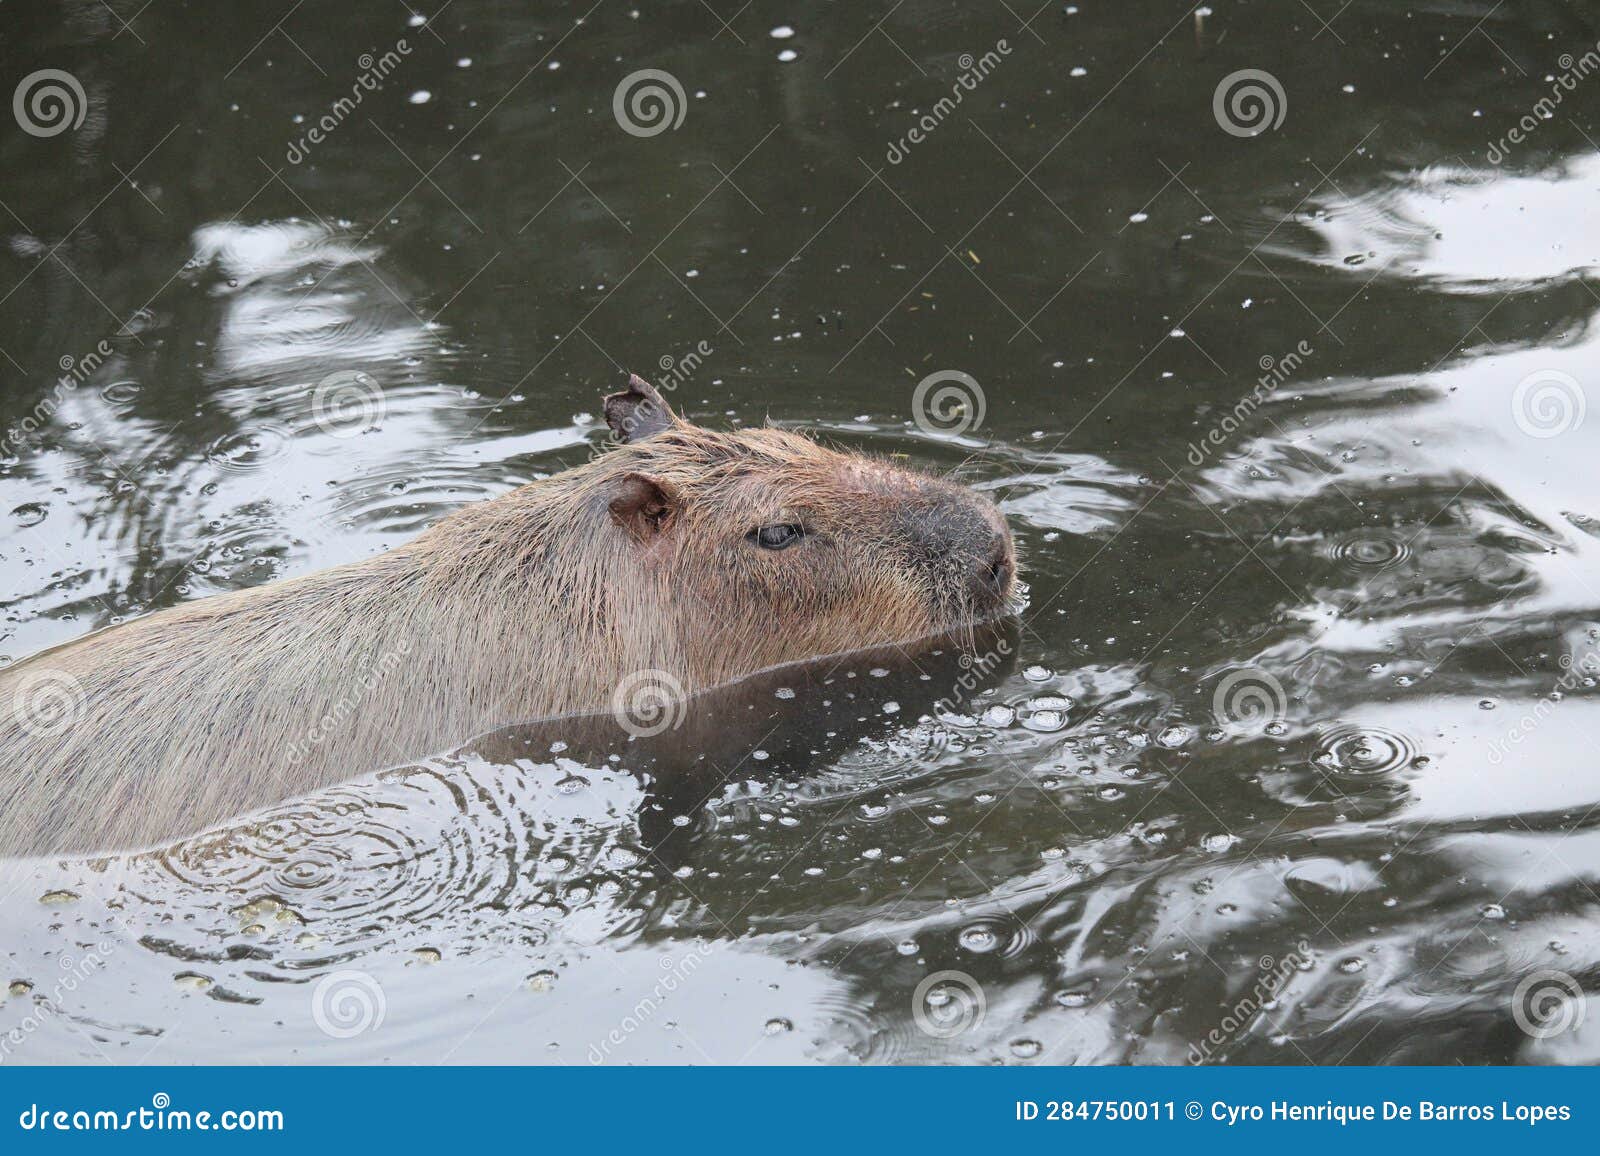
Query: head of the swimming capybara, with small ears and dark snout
(772, 548)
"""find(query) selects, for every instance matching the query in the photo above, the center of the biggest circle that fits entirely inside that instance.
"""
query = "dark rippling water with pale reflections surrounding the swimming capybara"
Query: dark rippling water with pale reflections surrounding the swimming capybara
(1294, 755)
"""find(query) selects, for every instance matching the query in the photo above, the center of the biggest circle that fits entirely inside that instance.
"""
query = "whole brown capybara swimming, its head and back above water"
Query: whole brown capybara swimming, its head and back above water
(678, 561)
